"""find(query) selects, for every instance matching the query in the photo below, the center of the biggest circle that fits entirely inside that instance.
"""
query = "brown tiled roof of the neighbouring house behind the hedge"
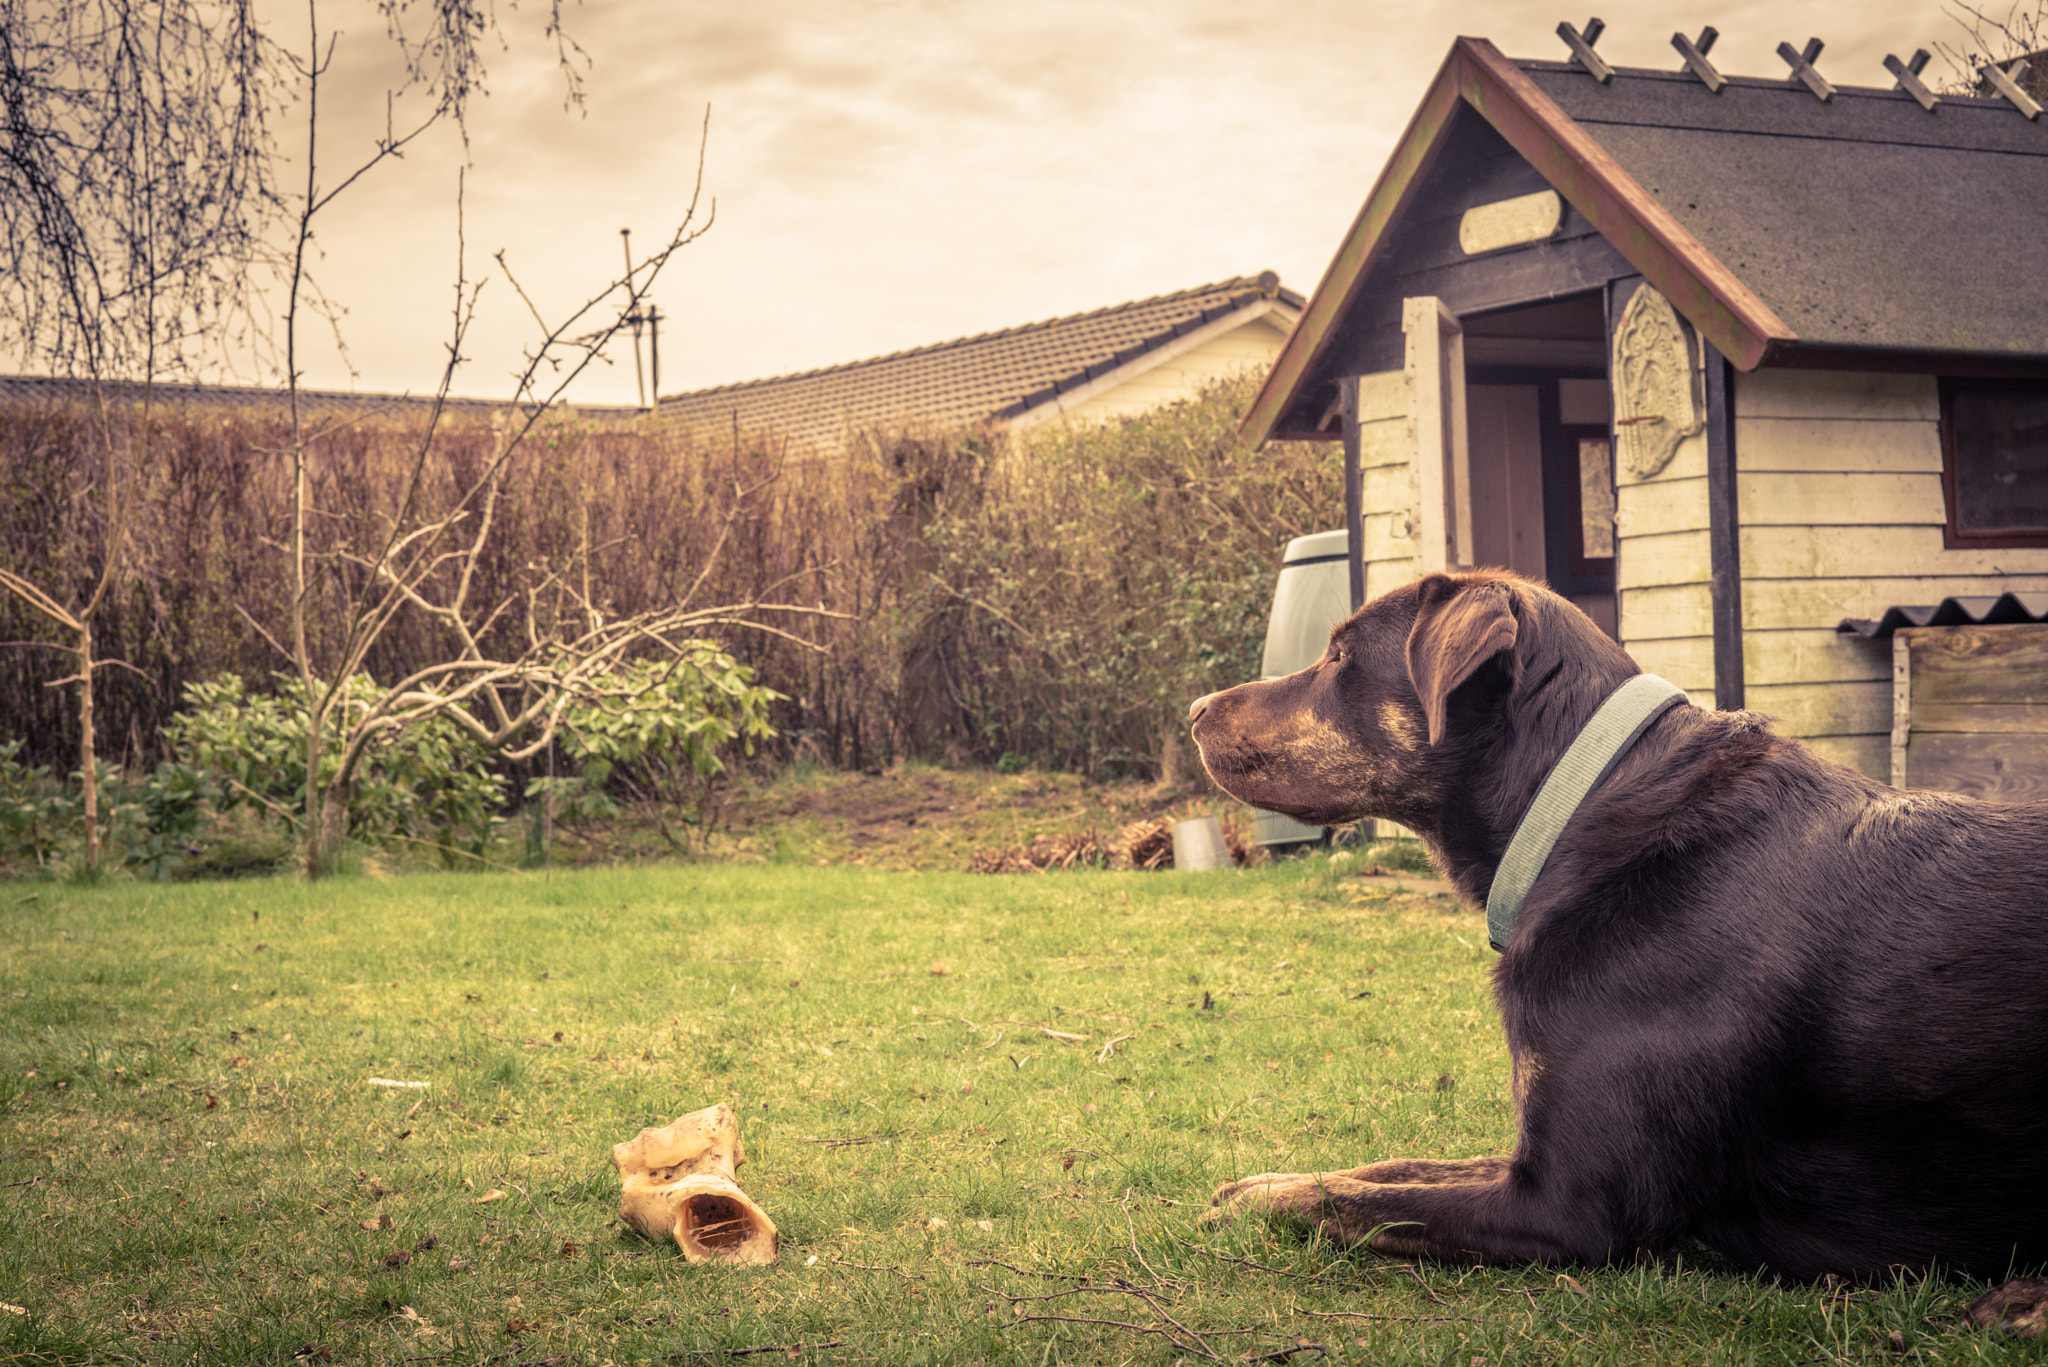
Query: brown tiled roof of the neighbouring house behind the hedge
(986, 378)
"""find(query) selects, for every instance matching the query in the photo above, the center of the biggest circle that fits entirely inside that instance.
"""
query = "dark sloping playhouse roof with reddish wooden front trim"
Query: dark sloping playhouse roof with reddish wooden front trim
(1789, 231)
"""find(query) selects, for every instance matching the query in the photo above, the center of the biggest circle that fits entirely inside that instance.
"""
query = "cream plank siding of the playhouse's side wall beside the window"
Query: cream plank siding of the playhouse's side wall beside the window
(1840, 499)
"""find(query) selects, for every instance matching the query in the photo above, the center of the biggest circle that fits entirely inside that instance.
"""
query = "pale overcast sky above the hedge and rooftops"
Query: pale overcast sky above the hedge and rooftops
(896, 173)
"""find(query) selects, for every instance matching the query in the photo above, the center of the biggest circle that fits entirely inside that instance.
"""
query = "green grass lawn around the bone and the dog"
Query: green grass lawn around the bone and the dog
(984, 1112)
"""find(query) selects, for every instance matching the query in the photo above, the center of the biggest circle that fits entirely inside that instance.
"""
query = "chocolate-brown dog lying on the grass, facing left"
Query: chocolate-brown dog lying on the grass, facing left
(1754, 997)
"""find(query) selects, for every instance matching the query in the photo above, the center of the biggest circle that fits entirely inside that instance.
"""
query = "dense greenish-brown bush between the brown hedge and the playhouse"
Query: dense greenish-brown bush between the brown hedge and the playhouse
(1091, 583)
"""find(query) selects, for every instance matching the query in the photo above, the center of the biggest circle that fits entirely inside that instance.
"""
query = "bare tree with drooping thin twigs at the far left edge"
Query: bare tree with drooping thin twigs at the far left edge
(134, 192)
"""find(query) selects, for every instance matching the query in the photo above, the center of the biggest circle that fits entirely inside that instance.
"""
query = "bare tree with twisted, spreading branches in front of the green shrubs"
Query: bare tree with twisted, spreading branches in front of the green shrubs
(509, 690)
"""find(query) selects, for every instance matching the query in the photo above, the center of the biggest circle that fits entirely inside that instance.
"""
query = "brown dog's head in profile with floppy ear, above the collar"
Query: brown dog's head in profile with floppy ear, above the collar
(1408, 694)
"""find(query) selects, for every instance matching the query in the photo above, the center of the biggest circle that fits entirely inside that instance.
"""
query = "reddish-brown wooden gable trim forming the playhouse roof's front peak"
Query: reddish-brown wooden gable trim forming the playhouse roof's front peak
(1476, 73)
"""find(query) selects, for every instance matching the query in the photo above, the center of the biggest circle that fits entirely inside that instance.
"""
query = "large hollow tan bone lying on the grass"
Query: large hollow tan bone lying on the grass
(679, 1179)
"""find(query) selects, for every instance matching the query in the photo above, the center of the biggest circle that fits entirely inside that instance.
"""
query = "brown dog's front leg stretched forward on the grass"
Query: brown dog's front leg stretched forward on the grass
(1471, 1212)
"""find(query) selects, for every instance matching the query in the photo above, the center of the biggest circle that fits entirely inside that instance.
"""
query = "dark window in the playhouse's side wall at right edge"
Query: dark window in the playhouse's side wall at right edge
(1996, 462)
